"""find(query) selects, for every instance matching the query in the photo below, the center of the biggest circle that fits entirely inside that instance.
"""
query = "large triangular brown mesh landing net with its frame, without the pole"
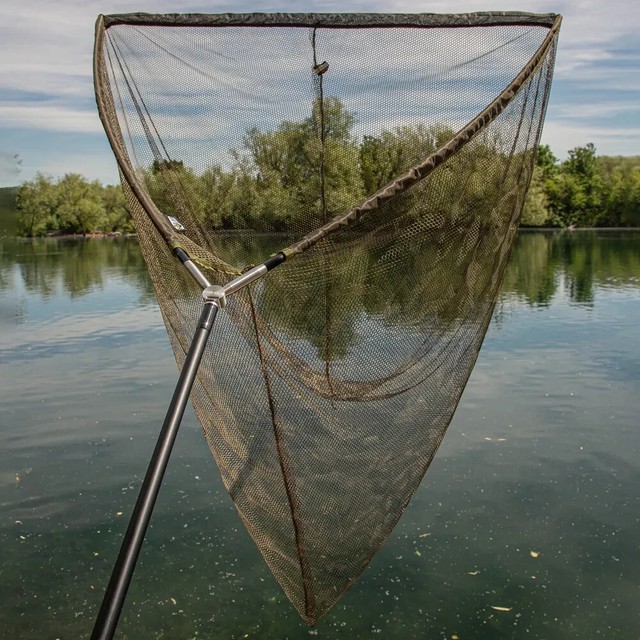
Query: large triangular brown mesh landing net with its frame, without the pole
(381, 163)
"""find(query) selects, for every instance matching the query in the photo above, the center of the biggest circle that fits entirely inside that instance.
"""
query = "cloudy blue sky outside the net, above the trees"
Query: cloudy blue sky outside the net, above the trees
(49, 122)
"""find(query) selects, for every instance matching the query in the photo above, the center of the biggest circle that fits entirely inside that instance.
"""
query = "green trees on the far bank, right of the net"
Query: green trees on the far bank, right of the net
(584, 190)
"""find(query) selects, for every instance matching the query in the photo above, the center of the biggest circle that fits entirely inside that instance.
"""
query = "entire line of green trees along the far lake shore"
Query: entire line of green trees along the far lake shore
(279, 177)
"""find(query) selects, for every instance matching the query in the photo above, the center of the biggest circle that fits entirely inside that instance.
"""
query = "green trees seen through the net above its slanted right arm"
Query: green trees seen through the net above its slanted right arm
(297, 176)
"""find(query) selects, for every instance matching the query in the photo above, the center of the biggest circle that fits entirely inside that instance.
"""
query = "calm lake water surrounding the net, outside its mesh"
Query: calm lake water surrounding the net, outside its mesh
(532, 504)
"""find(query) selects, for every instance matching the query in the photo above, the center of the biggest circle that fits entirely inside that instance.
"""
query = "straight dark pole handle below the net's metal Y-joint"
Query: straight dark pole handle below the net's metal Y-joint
(116, 592)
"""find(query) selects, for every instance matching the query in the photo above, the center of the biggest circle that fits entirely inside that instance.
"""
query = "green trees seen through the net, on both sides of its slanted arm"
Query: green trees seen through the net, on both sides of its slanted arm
(302, 174)
